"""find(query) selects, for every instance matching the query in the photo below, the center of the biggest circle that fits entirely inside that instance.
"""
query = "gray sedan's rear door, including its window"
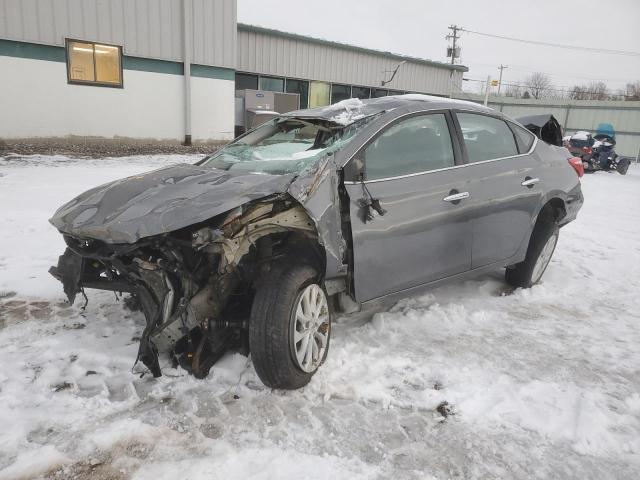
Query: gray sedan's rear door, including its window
(503, 186)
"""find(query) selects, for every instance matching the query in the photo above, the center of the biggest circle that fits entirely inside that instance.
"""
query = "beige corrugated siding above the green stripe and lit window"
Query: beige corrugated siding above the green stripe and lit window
(146, 28)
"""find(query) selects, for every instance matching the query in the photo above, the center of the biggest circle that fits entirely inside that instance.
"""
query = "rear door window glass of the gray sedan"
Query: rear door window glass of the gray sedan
(486, 138)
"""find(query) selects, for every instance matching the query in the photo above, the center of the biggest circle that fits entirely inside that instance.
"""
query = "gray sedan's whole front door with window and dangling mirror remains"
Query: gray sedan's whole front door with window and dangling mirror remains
(422, 234)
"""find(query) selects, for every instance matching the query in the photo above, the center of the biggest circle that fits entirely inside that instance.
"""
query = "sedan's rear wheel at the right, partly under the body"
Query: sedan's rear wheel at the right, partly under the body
(541, 247)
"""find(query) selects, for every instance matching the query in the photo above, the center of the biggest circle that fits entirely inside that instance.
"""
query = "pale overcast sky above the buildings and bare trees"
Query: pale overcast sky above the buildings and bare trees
(418, 28)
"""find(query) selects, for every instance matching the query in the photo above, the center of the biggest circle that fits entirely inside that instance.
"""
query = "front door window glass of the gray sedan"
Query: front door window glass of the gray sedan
(414, 145)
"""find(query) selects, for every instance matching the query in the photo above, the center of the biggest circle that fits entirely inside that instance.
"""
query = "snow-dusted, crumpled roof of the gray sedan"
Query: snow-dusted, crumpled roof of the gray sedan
(352, 109)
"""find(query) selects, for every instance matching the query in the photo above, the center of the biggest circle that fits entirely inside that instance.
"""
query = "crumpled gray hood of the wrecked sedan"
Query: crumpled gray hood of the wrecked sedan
(161, 201)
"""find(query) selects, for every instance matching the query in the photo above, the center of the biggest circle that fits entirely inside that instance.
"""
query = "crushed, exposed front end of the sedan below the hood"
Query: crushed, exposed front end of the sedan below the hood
(194, 285)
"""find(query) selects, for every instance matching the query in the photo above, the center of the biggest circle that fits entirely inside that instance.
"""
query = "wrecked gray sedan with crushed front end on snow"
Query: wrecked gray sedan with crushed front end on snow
(318, 213)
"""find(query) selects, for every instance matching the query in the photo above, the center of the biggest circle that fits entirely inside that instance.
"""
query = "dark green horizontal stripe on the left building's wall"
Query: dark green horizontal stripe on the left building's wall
(36, 51)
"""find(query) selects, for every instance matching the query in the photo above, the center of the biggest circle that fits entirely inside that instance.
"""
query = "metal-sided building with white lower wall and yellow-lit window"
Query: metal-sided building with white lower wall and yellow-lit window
(169, 69)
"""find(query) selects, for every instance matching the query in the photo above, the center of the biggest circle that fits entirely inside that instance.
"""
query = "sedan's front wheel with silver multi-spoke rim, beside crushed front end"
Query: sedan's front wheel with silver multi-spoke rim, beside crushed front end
(277, 332)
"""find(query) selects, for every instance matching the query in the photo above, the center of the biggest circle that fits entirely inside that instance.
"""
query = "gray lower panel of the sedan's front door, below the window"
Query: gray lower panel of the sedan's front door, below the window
(420, 238)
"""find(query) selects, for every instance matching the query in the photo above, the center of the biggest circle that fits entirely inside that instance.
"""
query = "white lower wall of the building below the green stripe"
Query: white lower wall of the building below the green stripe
(36, 101)
